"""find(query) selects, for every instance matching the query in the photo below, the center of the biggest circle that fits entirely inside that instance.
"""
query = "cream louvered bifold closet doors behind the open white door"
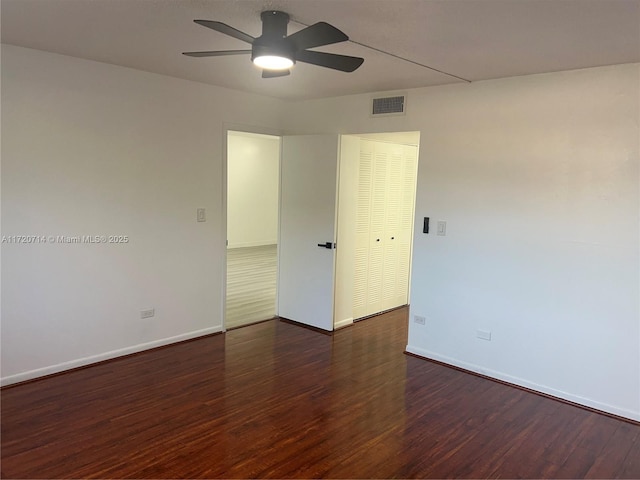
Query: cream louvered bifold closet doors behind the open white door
(384, 225)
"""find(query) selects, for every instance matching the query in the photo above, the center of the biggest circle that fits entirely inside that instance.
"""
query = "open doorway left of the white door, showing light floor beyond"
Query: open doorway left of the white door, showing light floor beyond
(253, 173)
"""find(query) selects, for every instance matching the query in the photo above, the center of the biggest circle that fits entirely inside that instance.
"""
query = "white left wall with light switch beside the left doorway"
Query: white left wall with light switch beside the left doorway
(96, 149)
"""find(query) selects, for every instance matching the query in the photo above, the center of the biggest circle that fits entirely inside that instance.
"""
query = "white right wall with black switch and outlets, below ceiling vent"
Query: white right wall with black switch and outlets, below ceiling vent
(538, 180)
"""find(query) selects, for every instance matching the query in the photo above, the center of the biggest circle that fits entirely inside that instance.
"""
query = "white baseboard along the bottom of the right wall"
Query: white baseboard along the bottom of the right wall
(525, 383)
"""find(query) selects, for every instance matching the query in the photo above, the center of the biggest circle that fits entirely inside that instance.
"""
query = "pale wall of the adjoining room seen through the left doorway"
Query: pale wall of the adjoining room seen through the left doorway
(253, 175)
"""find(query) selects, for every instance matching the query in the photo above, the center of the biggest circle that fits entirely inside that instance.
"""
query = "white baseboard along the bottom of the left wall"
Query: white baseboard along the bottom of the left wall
(81, 362)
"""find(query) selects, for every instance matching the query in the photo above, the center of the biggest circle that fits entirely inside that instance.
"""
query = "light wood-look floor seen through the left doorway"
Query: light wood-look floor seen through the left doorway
(251, 285)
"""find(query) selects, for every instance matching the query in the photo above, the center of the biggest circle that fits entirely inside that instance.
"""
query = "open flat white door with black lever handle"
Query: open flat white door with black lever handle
(309, 177)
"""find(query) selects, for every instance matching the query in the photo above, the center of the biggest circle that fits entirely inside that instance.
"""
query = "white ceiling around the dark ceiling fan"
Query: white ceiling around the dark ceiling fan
(471, 39)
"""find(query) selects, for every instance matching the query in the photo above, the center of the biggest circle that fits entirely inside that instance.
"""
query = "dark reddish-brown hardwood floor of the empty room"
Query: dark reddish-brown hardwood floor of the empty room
(278, 400)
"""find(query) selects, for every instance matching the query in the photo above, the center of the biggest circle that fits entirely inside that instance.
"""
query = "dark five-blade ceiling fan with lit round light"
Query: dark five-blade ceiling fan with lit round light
(276, 53)
